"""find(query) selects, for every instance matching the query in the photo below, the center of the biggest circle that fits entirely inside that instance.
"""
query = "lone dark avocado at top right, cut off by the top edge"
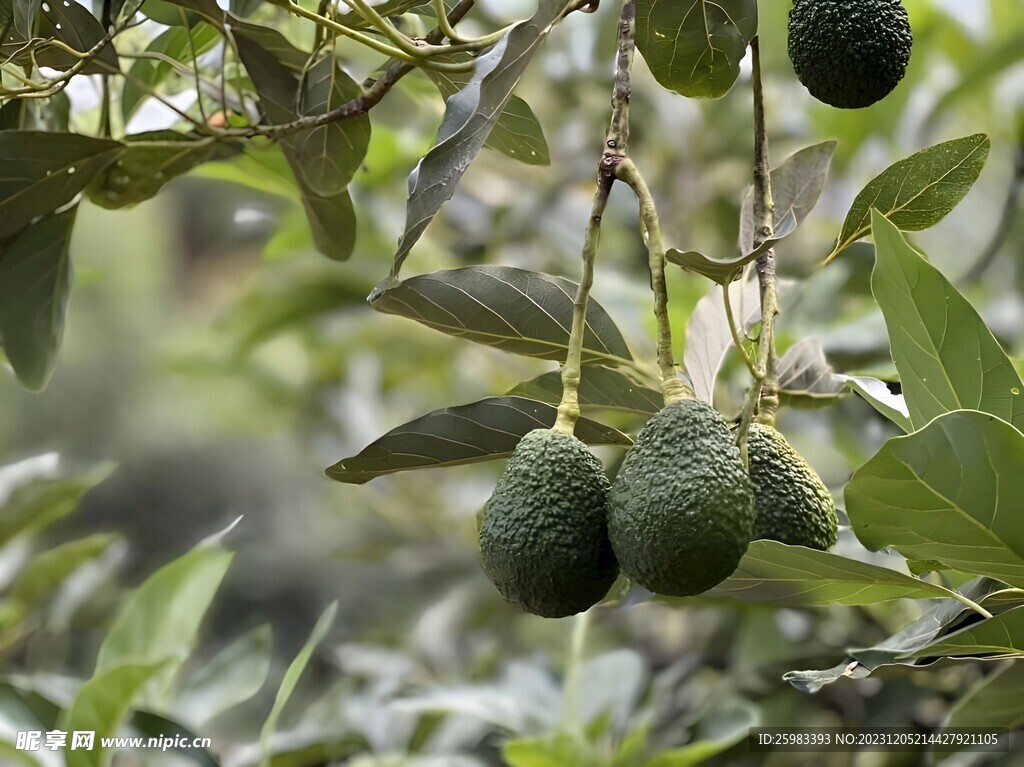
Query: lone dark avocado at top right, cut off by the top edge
(849, 54)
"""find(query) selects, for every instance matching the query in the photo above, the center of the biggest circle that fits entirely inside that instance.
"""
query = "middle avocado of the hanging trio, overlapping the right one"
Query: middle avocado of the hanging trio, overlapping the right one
(681, 510)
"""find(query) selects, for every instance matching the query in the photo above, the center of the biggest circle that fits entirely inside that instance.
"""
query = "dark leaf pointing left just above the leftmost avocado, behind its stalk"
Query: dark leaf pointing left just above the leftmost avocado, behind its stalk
(470, 434)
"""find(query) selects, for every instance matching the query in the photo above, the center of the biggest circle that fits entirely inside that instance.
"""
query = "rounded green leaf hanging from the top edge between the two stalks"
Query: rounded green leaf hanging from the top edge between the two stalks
(695, 48)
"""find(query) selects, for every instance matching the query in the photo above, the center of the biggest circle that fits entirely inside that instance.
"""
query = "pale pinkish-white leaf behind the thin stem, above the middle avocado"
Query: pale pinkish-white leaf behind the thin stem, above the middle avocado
(708, 336)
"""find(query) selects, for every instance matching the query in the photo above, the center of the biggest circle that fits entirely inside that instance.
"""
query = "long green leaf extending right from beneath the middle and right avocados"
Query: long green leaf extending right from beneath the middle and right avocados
(776, 573)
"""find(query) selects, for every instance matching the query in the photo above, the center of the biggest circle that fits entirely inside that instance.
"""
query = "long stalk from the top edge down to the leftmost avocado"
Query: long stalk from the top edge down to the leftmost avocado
(615, 151)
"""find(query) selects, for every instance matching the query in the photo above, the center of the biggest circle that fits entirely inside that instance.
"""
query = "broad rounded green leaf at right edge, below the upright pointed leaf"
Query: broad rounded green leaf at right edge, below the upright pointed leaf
(947, 493)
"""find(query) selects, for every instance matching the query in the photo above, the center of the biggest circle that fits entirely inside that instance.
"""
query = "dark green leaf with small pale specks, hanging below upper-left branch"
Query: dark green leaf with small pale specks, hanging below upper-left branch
(151, 161)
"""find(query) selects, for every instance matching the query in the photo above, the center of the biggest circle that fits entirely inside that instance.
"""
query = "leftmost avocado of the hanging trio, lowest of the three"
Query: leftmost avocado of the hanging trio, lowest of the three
(544, 540)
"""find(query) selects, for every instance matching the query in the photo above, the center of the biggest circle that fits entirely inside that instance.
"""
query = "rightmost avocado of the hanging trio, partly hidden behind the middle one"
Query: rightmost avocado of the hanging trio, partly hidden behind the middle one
(793, 504)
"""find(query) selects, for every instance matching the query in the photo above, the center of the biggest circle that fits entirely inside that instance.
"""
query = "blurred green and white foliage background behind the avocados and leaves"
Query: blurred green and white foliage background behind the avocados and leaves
(221, 365)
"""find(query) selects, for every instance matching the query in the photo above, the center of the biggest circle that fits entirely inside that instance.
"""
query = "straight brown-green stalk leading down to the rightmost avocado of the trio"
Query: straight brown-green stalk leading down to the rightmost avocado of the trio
(762, 399)
